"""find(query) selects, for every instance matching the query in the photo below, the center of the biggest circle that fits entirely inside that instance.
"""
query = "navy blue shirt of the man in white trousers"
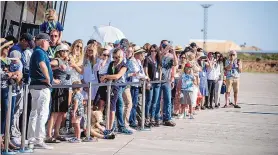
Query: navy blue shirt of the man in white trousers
(36, 75)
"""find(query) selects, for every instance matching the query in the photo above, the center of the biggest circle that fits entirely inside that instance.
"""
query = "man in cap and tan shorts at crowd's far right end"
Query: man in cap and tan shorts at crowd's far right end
(233, 68)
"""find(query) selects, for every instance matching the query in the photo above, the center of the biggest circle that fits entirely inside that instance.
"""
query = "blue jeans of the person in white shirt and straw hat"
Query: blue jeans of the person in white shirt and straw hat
(135, 94)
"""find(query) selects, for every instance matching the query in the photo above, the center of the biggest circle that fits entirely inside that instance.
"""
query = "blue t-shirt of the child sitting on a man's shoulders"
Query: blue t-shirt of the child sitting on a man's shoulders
(47, 27)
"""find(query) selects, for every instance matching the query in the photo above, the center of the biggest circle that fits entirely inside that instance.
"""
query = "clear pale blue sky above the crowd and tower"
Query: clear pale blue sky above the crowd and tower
(255, 23)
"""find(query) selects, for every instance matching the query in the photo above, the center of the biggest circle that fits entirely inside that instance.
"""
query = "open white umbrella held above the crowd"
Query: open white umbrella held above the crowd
(105, 34)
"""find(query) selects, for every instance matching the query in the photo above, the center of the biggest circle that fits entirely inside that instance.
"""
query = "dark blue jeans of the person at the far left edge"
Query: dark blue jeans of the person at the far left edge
(4, 108)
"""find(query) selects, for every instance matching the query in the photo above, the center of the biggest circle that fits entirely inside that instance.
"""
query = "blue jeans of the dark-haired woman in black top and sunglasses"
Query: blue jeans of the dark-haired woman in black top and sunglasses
(152, 100)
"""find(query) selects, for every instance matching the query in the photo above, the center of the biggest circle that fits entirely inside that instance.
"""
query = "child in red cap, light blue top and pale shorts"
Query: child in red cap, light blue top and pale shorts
(185, 90)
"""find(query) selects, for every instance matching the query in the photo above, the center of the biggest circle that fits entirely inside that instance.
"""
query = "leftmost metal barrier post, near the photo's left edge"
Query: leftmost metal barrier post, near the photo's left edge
(8, 123)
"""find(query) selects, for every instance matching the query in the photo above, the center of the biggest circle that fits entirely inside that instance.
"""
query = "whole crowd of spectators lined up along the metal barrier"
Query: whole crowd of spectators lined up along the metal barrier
(195, 81)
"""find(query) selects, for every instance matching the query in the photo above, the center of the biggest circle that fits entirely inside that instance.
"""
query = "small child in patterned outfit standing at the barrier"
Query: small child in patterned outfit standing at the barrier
(77, 112)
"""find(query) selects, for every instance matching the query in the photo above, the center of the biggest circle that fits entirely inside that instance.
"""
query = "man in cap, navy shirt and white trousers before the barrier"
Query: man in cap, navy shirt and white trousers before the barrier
(40, 74)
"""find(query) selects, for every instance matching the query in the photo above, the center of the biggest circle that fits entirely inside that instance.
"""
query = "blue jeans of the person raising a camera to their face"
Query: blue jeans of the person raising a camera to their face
(167, 103)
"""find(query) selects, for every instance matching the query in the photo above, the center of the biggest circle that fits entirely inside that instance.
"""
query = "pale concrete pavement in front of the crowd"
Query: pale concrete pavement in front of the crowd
(253, 129)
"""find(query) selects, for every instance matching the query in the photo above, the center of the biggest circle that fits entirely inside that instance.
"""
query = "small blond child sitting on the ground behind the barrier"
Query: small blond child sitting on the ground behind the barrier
(96, 129)
